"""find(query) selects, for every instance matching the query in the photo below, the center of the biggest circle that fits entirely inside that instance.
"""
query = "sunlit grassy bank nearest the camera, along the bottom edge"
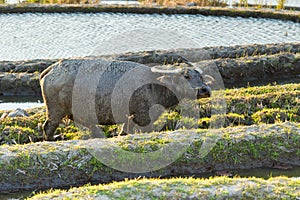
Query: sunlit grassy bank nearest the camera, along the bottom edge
(184, 188)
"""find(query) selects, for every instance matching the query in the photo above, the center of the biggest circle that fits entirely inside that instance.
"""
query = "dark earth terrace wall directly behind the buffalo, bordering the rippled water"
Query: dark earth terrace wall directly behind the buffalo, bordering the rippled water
(22, 77)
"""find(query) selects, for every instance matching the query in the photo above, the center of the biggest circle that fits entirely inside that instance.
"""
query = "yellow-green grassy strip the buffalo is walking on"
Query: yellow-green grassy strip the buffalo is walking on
(245, 106)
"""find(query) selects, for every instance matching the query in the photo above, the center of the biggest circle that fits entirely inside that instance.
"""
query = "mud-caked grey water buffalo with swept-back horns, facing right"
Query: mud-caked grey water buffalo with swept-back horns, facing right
(86, 89)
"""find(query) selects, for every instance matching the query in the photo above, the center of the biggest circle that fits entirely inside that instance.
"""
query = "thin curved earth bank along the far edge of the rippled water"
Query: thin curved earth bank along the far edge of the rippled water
(141, 9)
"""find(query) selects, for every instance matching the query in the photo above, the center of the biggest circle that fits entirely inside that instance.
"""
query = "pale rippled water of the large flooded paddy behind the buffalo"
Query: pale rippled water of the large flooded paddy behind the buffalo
(57, 35)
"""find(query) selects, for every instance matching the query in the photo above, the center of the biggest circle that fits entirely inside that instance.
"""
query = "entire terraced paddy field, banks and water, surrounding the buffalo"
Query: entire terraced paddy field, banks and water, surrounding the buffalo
(244, 142)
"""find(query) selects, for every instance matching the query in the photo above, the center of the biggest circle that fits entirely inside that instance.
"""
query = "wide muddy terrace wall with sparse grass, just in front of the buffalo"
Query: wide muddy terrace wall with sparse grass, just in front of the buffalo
(46, 165)
